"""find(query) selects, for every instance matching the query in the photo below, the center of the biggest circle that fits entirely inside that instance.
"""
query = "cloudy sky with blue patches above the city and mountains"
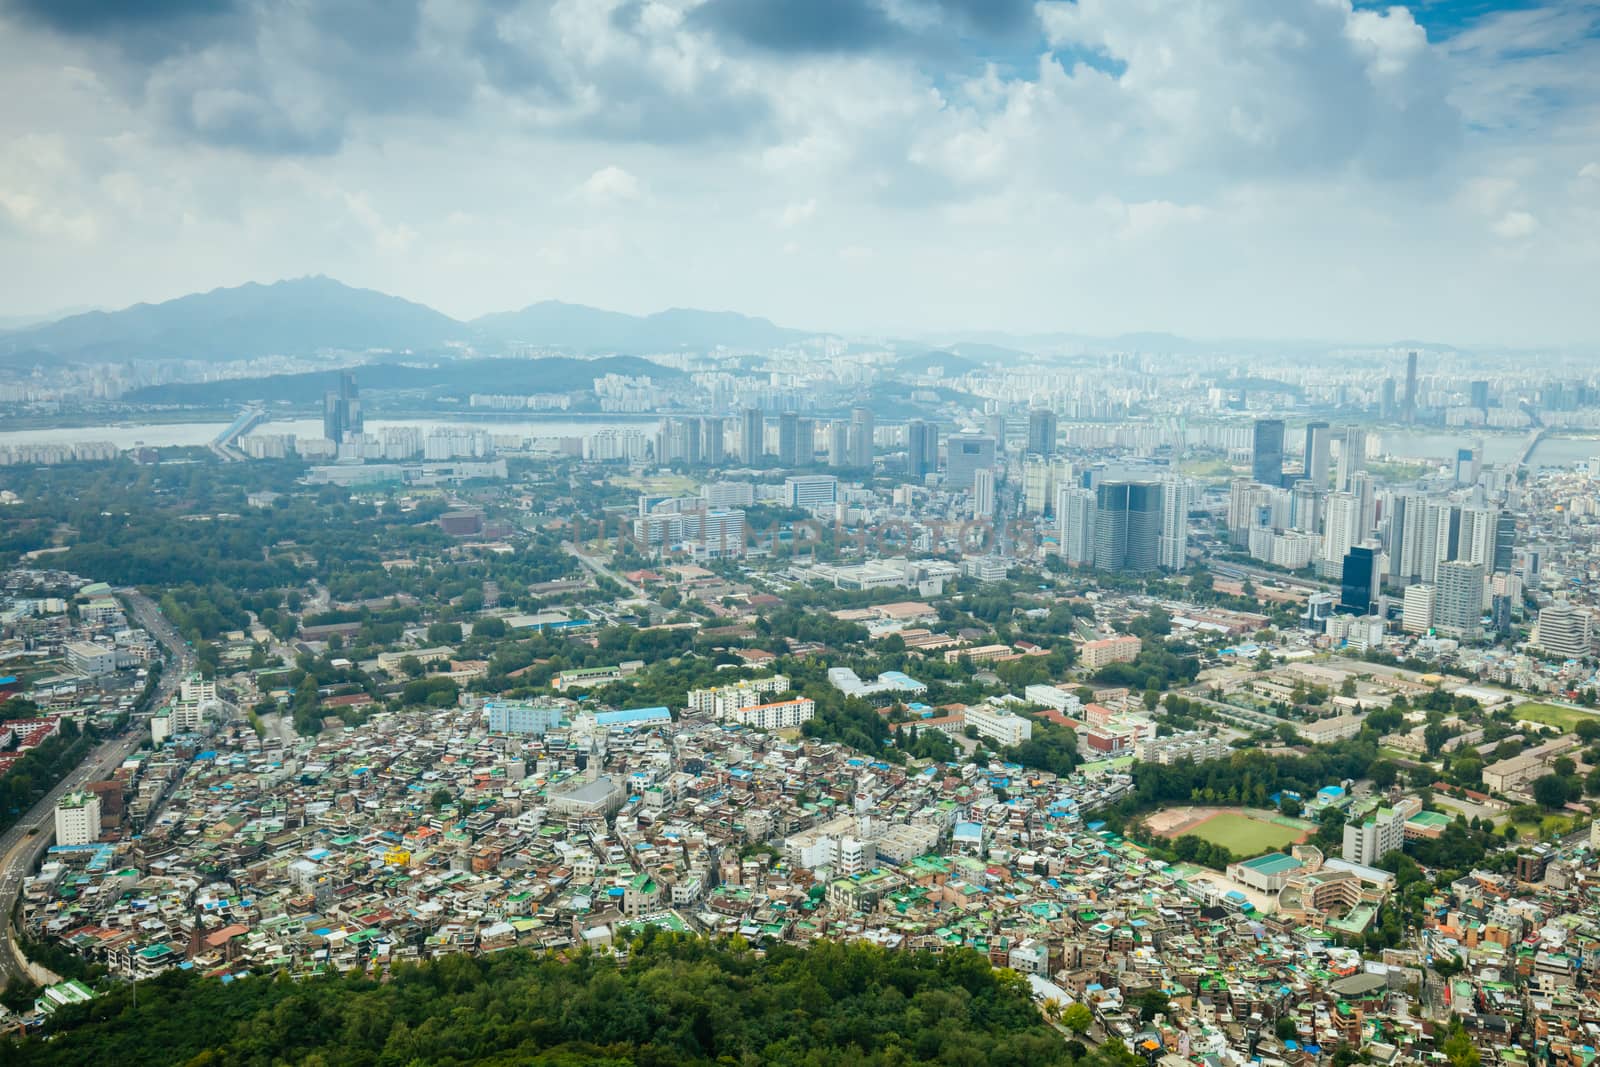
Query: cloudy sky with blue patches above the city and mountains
(1218, 169)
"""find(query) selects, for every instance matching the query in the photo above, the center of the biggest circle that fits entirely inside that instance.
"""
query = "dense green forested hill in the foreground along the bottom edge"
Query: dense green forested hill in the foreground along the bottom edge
(679, 1001)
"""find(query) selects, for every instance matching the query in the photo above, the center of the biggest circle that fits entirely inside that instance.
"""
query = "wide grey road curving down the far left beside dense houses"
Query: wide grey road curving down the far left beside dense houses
(26, 842)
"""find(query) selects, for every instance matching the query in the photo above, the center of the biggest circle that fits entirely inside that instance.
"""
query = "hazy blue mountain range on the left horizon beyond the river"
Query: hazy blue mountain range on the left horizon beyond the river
(310, 316)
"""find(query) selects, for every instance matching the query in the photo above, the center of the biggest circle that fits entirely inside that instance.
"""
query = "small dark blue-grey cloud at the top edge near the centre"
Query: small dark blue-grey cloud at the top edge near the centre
(802, 26)
